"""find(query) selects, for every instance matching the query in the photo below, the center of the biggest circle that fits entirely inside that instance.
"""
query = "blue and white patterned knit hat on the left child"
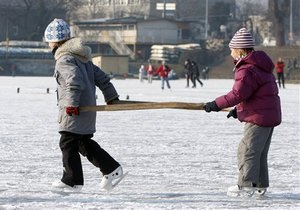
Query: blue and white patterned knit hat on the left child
(58, 30)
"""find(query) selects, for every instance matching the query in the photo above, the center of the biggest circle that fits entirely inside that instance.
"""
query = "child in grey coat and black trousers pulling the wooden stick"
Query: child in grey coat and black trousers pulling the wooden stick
(77, 78)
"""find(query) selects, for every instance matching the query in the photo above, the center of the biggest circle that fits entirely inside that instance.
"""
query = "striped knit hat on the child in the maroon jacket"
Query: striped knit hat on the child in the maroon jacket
(242, 39)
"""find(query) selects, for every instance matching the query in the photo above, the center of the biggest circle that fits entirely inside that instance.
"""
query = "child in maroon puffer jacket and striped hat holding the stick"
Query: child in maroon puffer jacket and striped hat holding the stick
(257, 104)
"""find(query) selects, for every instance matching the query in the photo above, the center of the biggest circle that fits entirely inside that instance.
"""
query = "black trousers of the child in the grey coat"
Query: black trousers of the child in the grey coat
(72, 145)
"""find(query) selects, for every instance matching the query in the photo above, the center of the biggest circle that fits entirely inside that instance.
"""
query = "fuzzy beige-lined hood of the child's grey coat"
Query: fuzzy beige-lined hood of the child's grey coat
(75, 48)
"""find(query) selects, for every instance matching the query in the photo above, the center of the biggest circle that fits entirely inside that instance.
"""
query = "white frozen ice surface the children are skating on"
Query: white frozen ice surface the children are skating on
(177, 159)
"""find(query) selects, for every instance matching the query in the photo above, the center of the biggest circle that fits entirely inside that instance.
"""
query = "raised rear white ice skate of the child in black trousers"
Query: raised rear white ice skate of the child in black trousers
(111, 180)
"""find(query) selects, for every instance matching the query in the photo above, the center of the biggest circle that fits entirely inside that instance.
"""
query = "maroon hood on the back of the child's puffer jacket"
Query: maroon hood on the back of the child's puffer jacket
(259, 59)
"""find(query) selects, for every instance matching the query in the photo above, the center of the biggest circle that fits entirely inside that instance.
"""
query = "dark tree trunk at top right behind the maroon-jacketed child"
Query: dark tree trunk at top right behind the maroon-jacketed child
(278, 11)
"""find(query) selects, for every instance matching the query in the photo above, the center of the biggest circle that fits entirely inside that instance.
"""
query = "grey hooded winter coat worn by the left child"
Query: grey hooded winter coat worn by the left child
(77, 78)
